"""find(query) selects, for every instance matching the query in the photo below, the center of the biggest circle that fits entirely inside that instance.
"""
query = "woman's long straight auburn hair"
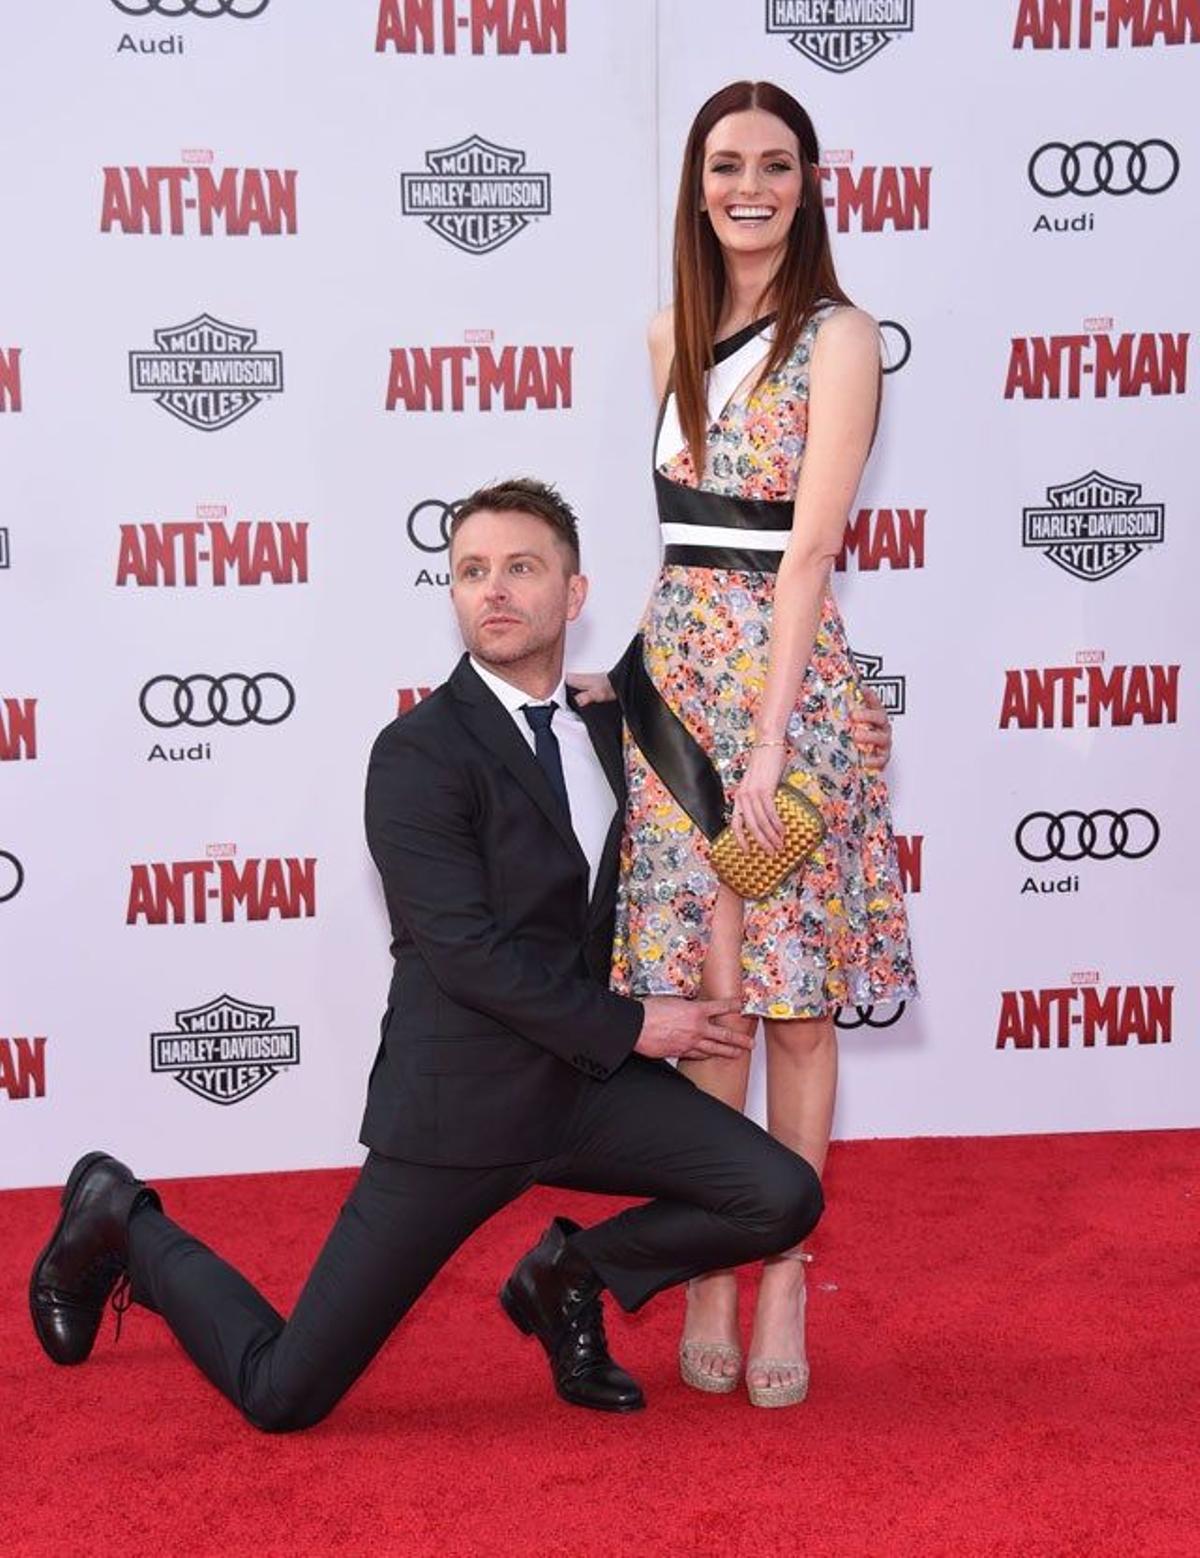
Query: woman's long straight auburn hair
(805, 277)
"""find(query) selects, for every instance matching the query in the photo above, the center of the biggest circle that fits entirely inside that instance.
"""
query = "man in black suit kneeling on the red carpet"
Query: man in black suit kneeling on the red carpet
(493, 812)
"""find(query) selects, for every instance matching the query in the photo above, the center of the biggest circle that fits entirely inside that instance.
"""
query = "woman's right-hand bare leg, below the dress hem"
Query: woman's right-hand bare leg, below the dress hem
(802, 1080)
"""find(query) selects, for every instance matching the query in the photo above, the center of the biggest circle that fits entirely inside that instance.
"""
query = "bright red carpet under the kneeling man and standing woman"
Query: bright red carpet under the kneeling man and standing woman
(1006, 1348)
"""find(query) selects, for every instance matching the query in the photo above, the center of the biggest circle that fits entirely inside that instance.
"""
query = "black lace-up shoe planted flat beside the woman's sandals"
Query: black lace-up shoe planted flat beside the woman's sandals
(556, 1297)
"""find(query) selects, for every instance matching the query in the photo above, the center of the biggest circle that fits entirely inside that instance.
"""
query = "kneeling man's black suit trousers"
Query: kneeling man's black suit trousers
(725, 1193)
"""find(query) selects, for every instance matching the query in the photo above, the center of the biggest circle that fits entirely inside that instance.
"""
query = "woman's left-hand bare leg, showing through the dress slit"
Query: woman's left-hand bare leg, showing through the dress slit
(713, 1299)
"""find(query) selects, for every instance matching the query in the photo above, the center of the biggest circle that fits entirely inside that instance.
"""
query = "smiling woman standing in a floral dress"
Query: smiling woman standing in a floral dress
(771, 395)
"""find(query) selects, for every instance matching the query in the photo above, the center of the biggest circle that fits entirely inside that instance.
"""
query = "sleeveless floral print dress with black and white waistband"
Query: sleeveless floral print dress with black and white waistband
(835, 934)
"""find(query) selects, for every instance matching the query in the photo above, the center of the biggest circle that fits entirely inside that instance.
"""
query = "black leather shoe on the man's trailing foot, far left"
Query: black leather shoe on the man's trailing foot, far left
(86, 1257)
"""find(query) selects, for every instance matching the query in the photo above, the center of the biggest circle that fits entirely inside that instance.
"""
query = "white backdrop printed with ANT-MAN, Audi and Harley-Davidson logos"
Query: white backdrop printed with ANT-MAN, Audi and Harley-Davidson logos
(283, 280)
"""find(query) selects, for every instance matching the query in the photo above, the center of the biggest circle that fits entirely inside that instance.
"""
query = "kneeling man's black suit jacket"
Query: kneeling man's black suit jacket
(499, 1012)
